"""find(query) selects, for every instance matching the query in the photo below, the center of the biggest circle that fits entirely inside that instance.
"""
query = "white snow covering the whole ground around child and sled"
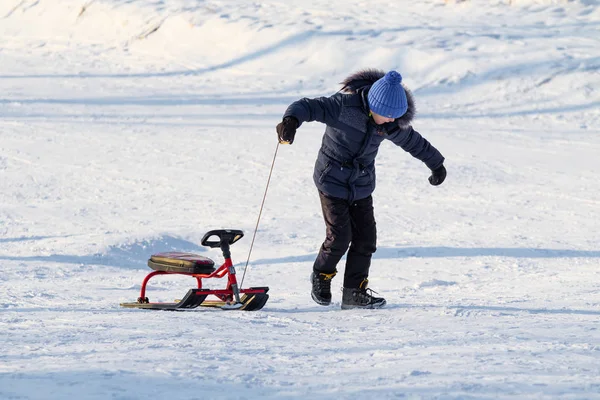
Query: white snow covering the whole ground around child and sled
(130, 127)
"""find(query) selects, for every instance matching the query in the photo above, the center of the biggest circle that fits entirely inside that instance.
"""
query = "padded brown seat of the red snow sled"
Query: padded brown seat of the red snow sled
(179, 262)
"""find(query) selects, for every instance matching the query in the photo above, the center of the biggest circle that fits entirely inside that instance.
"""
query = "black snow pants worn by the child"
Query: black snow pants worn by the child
(348, 225)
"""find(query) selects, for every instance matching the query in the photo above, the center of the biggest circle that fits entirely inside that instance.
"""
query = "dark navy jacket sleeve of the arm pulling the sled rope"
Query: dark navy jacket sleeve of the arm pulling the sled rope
(323, 109)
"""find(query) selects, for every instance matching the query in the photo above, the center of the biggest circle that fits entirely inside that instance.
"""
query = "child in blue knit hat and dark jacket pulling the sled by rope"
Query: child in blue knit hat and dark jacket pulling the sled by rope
(370, 107)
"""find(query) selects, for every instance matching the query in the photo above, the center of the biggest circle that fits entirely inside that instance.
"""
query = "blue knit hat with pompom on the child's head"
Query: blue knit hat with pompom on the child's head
(387, 97)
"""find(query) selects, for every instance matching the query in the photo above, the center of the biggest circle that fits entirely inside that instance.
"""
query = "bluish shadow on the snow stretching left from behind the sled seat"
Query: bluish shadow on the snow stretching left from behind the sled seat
(127, 255)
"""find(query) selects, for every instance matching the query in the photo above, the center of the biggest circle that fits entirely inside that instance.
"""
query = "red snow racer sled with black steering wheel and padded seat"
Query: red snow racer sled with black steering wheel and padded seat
(200, 267)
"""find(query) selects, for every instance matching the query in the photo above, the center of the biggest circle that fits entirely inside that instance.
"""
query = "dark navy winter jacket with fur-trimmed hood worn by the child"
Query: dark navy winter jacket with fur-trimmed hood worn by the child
(345, 166)
